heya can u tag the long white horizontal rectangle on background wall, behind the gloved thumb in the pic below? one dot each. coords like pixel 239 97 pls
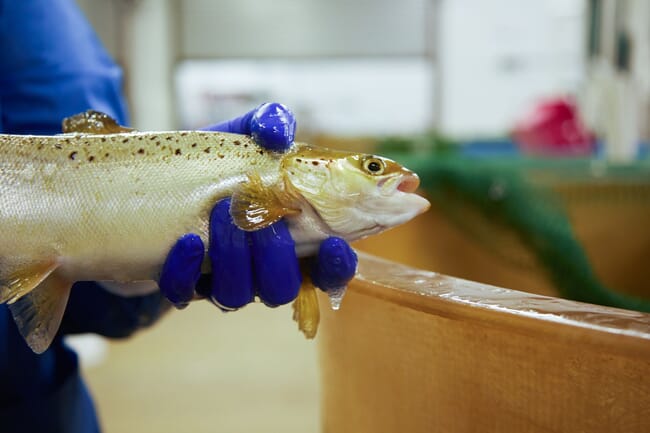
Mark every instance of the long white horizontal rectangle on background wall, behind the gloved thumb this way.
pixel 353 97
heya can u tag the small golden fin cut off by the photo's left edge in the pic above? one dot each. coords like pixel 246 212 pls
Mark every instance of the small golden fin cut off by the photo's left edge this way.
pixel 14 284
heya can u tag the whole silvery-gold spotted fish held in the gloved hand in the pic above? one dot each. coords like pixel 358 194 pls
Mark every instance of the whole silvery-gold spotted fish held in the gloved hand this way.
pixel 102 202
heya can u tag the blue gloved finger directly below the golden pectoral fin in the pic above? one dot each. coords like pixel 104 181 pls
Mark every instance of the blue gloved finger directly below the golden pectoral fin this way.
pixel 275 264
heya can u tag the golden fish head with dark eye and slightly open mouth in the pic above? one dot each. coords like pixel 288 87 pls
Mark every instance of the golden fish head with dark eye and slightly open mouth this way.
pixel 355 195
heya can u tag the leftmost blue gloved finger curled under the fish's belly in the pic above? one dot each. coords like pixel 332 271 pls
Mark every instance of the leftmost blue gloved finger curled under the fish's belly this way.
pixel 182 270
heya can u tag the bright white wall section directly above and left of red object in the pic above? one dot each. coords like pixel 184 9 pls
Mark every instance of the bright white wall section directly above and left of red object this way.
pixel 499 56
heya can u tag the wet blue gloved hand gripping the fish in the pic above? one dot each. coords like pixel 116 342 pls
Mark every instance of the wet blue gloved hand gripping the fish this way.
pixel 245 264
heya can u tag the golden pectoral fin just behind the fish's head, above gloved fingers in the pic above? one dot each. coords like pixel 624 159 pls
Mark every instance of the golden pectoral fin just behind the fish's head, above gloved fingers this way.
pixel 255 206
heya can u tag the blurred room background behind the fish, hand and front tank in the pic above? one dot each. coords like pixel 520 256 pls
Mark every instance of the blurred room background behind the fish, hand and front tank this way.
pixel 526 119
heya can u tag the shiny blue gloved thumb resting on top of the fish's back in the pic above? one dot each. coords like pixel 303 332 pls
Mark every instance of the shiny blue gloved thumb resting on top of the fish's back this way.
pixel 272 126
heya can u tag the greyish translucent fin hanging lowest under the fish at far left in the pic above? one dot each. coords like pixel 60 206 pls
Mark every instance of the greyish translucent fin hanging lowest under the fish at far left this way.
pixel 38 314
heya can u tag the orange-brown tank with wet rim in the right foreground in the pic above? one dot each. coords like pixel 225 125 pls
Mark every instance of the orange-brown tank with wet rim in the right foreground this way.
pixel 417 351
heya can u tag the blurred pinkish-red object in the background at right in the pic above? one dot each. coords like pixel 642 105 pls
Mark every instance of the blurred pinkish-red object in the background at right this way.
pixel 553 128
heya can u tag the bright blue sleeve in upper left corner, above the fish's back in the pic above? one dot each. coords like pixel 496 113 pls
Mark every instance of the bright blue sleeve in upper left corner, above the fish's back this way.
pixel 52 66
